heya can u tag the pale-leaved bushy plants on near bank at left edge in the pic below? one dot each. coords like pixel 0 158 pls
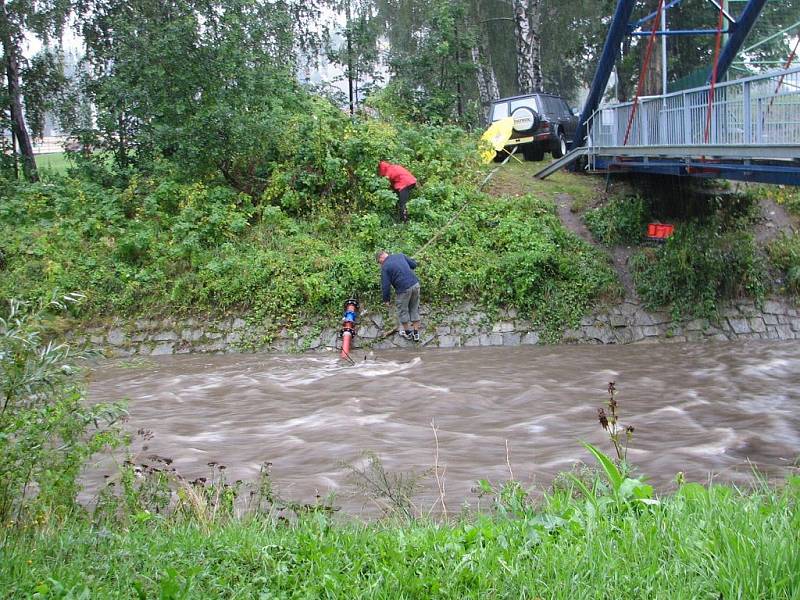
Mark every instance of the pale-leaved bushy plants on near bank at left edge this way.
pixel 46 430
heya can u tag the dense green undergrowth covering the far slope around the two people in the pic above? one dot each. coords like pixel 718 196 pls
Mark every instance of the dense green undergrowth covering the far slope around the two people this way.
pixel 167 243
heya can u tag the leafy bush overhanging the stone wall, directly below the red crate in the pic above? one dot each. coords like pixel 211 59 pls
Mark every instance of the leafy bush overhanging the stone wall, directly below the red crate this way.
pixel 697 267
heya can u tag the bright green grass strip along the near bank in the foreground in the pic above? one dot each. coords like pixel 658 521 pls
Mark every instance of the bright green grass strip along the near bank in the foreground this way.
pixel 699 543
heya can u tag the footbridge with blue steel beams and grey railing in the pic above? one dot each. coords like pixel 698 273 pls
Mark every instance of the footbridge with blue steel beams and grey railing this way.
pixel 746 129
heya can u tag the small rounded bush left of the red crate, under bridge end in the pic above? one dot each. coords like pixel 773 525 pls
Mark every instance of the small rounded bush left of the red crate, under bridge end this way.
pixel 620 221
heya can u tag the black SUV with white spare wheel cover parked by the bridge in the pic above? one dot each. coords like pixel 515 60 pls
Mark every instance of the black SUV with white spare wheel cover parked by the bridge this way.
pixel 542 123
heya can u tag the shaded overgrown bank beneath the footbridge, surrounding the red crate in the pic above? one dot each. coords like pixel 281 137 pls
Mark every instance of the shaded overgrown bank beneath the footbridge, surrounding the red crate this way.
pixel 725 246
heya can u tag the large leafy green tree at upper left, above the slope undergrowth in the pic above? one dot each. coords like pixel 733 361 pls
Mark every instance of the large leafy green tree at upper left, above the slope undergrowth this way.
pixel 202 82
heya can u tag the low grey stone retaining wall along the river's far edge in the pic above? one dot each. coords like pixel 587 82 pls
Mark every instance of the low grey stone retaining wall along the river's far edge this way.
pixel 622 324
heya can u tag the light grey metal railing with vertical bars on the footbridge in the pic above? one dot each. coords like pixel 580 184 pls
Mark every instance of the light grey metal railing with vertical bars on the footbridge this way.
pixel 760 110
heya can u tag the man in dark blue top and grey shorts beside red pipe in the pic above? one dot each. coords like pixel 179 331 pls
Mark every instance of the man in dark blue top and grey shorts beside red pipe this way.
pixel 397 271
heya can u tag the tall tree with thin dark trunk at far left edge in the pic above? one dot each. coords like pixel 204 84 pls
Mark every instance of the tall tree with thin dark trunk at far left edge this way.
pixel 44 19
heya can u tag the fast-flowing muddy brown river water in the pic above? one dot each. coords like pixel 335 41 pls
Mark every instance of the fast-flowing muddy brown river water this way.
pixel 708 410
